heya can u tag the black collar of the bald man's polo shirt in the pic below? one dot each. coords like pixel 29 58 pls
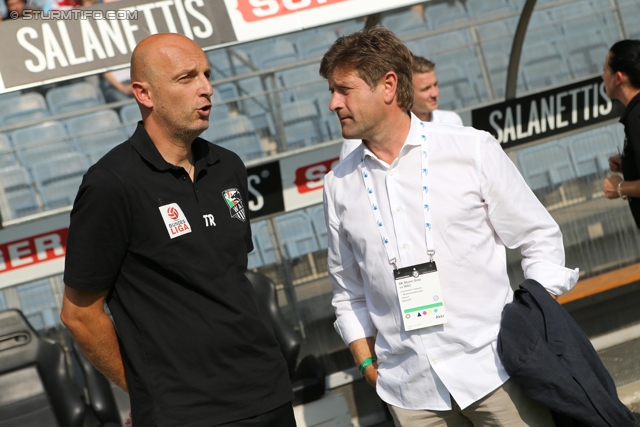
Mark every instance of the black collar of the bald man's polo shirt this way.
pixel 203 153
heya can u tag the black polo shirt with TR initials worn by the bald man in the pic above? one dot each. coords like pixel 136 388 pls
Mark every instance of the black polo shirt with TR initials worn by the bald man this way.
pixel 197 347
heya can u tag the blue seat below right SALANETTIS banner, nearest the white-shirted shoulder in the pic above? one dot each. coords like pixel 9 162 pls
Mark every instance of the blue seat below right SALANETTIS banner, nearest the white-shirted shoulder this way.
pixel 546 165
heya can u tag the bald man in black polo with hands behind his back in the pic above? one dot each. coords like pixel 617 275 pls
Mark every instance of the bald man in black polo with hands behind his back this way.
pixel 160 232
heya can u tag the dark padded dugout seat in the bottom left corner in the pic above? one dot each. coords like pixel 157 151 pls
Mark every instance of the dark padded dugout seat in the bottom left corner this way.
pixel 34 381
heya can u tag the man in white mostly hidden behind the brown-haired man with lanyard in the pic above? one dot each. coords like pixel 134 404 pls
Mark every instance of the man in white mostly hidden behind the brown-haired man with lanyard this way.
pixel 426 94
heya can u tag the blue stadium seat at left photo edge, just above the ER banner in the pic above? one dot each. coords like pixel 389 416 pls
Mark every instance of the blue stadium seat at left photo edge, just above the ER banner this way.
pixel 20 194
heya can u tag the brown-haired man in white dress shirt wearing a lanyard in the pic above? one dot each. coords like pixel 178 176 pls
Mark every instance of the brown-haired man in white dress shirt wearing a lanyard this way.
pixel 415 195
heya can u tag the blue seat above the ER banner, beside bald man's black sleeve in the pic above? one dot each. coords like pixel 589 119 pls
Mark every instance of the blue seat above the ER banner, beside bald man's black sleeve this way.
pixel 59 178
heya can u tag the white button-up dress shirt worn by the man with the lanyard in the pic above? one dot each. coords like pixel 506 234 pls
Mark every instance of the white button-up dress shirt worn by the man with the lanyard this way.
pixel 479 203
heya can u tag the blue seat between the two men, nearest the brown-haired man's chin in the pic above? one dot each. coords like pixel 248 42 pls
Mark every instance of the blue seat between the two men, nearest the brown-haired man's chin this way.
pixel 301 122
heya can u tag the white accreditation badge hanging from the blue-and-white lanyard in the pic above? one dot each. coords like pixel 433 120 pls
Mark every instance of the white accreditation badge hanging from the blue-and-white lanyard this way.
pixel 420 296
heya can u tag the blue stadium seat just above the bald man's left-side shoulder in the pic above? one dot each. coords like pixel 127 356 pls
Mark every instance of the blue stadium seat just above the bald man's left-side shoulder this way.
pixel 96 133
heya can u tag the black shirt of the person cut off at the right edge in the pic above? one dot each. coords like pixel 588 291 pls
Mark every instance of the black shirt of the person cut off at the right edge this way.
pixel 631 154
